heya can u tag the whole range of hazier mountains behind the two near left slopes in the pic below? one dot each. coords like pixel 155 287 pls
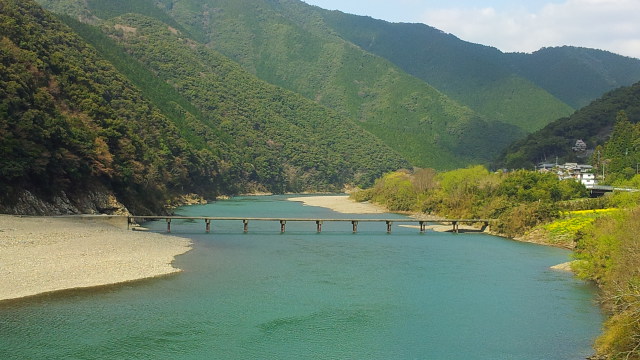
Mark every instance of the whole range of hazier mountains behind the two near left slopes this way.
pixel 439 101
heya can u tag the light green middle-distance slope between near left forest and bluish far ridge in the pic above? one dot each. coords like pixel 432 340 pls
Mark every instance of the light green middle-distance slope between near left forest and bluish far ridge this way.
pixel 421 123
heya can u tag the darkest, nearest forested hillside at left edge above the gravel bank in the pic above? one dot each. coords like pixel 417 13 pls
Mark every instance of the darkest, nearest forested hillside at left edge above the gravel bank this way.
pixel 69 122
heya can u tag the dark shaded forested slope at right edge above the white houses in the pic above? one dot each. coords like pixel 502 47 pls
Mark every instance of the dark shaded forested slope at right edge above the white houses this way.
pixel 593 124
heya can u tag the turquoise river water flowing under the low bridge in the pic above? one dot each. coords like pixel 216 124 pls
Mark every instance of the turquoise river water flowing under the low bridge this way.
pixel 334 295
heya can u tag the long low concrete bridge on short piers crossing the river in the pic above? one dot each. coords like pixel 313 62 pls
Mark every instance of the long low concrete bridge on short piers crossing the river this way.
pixel 455 223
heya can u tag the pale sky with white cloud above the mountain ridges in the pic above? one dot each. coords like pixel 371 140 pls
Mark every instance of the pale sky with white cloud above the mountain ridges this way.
pixel 515 25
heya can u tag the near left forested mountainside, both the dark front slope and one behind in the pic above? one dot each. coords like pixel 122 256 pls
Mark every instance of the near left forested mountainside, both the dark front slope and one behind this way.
pixel 70 122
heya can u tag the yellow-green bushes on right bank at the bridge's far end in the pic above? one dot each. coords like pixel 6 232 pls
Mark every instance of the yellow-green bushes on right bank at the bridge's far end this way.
pixel 519 200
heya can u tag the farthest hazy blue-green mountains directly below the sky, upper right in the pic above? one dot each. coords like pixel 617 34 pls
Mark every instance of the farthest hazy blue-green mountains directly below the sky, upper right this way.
pixel 473 74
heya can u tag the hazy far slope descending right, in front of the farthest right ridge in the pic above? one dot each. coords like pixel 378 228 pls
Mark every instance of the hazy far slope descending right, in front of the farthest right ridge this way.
pixel 474 75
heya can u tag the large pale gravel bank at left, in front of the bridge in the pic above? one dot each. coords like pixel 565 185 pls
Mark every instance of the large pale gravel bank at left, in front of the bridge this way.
pixel 45 254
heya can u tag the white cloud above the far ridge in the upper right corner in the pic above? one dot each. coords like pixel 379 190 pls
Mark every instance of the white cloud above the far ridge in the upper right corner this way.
pixel 602 24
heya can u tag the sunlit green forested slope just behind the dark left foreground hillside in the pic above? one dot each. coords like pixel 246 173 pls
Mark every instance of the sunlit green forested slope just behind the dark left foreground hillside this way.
pixel 281 134
